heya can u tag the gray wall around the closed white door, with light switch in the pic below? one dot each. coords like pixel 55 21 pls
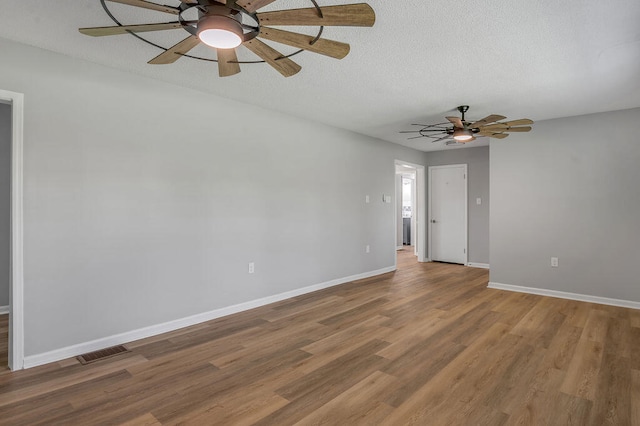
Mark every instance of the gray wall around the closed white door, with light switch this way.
pixel 477 160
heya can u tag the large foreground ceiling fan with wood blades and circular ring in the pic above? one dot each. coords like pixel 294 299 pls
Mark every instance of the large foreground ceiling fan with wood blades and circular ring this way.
pixel 227 24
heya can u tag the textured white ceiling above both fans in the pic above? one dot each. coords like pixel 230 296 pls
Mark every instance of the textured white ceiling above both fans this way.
pixel 538 59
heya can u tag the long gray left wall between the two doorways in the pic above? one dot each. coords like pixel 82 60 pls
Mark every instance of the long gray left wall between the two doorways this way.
pixel 144 201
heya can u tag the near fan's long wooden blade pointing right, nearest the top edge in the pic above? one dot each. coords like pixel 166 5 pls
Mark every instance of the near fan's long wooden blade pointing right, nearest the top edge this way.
pixel 356 15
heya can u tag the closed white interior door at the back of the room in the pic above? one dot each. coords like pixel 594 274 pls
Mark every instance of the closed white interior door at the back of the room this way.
pixel 448 213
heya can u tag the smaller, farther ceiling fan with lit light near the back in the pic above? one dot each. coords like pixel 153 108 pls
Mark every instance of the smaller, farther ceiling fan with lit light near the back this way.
pixel 458 130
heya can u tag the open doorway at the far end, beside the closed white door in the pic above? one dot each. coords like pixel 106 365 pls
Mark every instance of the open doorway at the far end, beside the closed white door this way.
pixel 410 212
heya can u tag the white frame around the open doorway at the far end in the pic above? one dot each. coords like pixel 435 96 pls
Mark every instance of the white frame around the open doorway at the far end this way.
pixel 421 222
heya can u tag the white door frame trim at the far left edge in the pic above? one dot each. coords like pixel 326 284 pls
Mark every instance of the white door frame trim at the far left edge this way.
pixel 16 285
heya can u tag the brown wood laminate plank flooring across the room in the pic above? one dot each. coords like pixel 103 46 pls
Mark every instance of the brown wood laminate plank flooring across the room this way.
pixel 428 345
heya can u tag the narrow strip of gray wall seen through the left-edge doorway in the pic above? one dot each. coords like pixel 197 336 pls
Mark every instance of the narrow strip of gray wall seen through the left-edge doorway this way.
pixel 5 202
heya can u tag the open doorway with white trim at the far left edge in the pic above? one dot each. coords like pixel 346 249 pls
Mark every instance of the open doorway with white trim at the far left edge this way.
pixel 11 117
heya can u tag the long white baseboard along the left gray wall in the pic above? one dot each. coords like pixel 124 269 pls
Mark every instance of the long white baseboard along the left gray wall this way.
pixel 141 333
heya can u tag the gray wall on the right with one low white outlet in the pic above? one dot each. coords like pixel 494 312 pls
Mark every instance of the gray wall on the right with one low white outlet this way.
pixel 571 189
